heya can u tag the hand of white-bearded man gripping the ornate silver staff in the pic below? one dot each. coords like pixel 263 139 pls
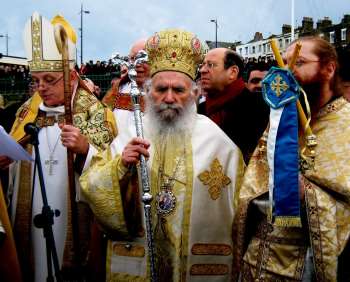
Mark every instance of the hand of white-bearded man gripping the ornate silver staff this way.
pixel 133 150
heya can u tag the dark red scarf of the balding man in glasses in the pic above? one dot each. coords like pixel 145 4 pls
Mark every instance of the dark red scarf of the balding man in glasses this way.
pixel 215 105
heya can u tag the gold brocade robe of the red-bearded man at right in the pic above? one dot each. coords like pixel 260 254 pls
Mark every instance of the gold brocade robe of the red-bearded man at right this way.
pixel 278 254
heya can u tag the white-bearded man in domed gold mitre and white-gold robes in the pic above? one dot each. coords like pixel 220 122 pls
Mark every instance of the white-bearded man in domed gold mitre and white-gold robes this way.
pixel 194 171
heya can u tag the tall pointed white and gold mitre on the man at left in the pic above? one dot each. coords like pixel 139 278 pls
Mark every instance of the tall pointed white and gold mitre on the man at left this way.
pixel 40 44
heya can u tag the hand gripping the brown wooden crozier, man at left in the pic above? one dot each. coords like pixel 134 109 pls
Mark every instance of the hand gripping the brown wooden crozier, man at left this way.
pixel 73 139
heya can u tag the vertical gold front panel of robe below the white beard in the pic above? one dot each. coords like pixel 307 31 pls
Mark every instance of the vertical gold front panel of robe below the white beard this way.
pixel 175 159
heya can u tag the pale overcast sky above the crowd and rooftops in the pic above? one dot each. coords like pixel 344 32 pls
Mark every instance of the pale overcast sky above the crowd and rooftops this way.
pixel 113 25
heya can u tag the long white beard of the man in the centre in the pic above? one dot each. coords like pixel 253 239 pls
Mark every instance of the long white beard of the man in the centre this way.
pixel 169 123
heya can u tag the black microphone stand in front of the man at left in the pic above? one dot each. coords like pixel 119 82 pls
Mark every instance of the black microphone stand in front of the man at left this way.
pixel 45 218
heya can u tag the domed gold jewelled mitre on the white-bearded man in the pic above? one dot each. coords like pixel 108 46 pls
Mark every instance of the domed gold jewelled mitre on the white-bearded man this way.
pixel 174 50
